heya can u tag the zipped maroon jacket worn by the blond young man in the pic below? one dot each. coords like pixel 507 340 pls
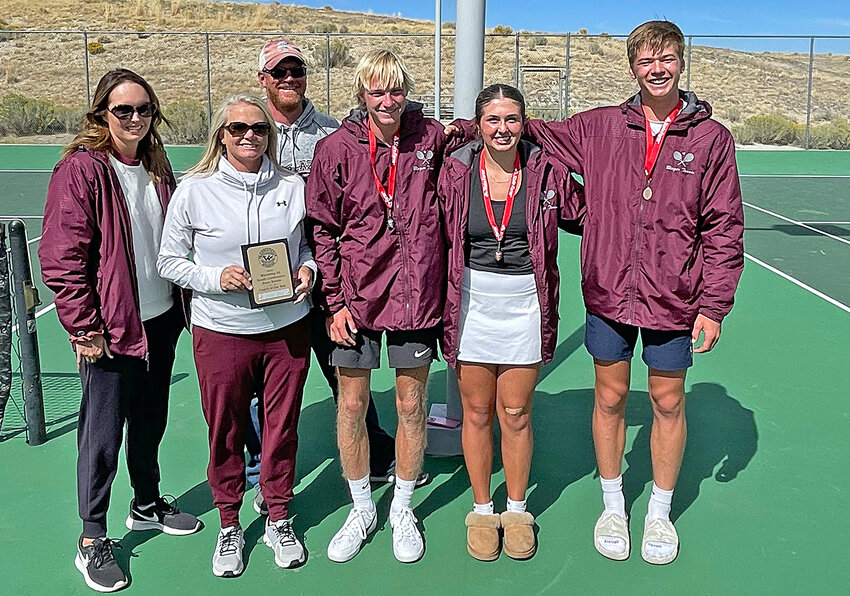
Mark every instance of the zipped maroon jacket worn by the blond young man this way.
pixel 389 280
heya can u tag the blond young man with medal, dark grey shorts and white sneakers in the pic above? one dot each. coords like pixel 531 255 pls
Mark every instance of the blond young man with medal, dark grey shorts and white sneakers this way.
pixel 374 213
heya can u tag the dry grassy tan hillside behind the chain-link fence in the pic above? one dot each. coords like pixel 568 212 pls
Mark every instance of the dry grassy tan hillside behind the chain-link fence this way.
pixel 52 66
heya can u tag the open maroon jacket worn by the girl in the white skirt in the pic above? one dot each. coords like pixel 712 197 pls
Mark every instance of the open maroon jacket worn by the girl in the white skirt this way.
pixel 553 198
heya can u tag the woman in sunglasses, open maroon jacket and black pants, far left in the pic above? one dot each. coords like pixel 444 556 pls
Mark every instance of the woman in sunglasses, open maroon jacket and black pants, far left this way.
pixel 103 220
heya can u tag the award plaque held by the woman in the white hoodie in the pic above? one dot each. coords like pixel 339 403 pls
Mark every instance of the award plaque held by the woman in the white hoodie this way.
pixel 268 264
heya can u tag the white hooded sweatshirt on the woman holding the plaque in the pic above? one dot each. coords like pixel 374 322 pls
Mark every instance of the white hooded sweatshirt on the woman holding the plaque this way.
pixel 209 218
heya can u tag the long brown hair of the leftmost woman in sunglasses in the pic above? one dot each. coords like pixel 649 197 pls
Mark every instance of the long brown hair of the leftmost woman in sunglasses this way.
pixel 95 132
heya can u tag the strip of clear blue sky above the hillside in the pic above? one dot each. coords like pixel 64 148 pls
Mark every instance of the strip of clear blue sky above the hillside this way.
pixel 721 17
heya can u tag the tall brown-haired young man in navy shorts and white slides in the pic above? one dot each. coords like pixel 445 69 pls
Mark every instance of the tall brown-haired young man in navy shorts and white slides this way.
pixel 662 254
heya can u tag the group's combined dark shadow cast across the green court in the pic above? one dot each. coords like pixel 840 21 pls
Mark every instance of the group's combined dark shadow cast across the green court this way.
pixel 722 440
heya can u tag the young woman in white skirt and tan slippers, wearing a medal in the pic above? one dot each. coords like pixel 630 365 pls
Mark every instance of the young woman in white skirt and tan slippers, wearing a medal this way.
pixel 502 202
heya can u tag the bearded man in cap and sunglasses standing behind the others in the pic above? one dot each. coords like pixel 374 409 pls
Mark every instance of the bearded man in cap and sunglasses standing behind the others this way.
pixel 282 73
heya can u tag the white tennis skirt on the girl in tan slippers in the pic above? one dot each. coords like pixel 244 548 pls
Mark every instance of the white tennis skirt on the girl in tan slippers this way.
pixel 499 319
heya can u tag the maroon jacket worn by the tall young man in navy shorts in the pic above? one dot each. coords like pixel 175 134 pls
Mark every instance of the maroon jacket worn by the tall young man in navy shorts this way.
pixel 654 263
